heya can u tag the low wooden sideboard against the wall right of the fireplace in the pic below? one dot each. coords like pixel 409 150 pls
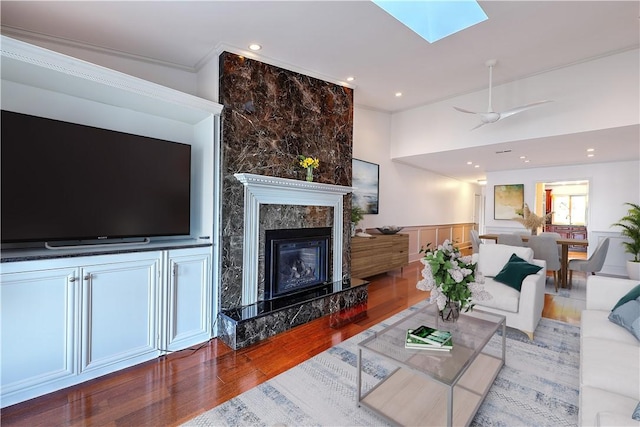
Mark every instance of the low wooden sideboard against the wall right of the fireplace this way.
pixel 378 254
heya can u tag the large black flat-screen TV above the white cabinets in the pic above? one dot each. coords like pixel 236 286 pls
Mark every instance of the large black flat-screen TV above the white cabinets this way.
pixel 64 181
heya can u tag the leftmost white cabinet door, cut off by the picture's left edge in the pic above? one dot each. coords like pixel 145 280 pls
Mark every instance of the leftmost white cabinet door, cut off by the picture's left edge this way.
pixel 37 315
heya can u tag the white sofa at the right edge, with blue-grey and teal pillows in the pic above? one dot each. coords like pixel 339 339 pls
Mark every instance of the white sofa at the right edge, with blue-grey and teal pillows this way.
pixel 609 358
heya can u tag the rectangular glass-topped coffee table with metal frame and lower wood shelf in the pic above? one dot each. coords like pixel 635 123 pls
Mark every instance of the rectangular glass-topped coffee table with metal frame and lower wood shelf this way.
pixel 434 388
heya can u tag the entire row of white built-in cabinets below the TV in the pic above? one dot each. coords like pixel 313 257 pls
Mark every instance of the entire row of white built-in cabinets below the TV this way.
pixel 68 320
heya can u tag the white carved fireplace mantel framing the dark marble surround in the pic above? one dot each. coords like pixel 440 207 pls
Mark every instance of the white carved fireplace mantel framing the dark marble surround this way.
pixel 261 189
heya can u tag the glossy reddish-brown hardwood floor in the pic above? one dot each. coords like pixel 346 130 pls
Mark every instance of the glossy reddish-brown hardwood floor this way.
pixel 173 389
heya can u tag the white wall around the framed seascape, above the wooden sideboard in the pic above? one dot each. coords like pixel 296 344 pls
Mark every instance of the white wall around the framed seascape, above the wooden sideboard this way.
pixel 408 196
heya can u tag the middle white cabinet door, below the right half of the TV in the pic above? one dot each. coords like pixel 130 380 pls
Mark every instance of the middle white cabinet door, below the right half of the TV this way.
pixel 119 314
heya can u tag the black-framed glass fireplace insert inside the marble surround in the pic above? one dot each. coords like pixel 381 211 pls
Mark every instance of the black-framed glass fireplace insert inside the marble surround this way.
pixel 295 260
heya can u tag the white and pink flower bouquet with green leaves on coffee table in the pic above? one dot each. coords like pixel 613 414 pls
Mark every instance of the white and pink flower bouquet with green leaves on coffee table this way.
pixel 451 277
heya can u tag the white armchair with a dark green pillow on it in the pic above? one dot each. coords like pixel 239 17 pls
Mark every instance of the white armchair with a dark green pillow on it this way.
pixel 522 309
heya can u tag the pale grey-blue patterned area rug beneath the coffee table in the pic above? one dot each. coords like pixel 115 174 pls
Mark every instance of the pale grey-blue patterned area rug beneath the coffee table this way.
pixel 538 386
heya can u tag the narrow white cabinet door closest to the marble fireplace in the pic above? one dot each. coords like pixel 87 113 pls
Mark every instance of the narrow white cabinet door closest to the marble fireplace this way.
pixel 188 298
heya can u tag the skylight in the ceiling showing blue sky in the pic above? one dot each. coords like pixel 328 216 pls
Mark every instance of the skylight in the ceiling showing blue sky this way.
pixel 434 19
